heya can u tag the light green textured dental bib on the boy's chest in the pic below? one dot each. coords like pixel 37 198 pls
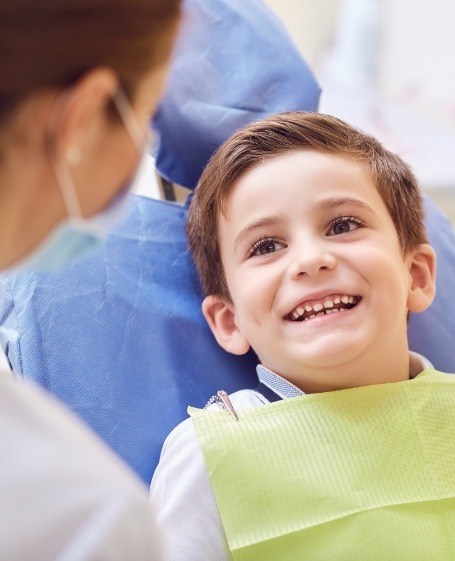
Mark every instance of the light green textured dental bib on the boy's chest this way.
pixel 360 474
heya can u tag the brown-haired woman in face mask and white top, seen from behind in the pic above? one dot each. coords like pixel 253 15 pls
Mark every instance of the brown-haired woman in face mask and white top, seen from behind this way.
pixel 80 79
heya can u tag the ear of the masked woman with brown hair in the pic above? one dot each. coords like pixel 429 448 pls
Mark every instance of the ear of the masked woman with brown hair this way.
pixel 80 112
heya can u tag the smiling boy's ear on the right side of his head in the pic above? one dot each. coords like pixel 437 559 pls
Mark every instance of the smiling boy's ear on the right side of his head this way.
pixel 423 275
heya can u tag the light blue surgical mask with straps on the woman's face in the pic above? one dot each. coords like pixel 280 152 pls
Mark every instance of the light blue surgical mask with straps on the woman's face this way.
pixel 77 237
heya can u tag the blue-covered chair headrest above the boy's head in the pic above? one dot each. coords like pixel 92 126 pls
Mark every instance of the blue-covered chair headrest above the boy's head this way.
pixel 250 69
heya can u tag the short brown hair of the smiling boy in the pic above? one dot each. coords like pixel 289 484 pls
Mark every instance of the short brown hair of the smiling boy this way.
pixel 275 135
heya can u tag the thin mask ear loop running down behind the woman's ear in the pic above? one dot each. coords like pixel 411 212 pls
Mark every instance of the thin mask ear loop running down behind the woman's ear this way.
pixel 61 169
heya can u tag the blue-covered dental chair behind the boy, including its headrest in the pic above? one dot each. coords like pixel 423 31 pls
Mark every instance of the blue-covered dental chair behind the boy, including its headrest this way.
pixel 119 337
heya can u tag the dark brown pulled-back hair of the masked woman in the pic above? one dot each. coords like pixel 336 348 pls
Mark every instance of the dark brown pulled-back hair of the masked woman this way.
pixel 52 43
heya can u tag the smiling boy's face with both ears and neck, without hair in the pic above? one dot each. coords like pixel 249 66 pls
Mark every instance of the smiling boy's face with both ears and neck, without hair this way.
pixel 304 234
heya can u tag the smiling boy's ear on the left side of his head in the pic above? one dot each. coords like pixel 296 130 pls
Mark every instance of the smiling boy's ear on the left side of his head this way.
pixel 220 316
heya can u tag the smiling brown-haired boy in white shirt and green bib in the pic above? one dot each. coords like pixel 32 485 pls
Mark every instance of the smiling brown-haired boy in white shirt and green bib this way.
pixel 309 240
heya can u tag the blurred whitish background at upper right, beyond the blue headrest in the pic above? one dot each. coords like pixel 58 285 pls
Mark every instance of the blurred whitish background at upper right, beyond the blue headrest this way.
pixel 387 66
